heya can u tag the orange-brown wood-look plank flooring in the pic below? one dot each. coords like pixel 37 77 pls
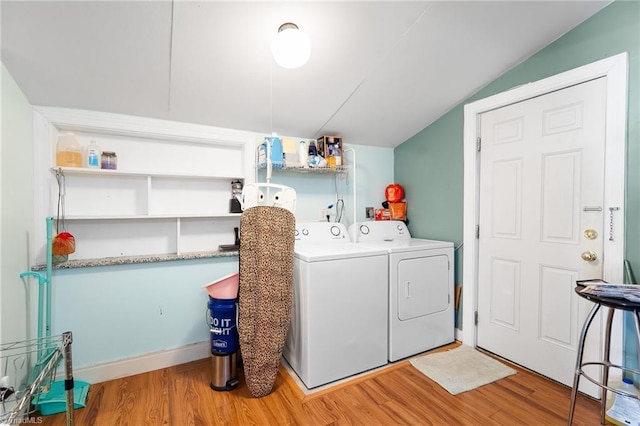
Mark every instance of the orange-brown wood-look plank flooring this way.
pixel 395 395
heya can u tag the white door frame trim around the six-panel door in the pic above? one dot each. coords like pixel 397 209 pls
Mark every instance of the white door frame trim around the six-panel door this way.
pixel 614 69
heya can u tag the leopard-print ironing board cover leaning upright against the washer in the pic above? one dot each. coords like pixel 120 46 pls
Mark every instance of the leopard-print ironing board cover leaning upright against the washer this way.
pixel 265 298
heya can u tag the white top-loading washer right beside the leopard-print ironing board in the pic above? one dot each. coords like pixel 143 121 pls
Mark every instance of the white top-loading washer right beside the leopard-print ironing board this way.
pixel 339 324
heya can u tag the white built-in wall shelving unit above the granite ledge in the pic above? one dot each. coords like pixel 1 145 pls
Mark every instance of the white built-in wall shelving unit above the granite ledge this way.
pixel 169 195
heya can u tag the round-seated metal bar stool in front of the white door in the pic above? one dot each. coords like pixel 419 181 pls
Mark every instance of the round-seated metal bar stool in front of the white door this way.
pixel 612 304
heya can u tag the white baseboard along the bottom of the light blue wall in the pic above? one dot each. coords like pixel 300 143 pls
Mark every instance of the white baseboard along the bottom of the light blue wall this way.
pixel 141 364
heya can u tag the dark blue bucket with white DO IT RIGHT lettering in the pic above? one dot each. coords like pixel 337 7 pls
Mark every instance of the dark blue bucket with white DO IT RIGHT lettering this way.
pixel 222 323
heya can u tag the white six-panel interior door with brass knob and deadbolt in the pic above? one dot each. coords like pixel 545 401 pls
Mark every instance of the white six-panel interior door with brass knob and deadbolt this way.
pixel 541 203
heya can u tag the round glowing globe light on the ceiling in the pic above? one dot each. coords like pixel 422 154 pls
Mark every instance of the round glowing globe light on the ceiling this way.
pixel 291 48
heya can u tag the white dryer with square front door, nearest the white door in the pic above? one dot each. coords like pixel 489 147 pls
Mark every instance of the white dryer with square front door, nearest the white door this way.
pixel 421 289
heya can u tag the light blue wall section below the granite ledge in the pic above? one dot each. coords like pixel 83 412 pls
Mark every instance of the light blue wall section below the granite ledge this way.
pixel 119 312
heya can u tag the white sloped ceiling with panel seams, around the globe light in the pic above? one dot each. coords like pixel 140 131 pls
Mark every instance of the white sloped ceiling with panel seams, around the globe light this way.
pixel 379 71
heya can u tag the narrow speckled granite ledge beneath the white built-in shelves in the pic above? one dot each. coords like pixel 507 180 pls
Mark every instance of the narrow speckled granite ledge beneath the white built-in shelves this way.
pixel 128 260
